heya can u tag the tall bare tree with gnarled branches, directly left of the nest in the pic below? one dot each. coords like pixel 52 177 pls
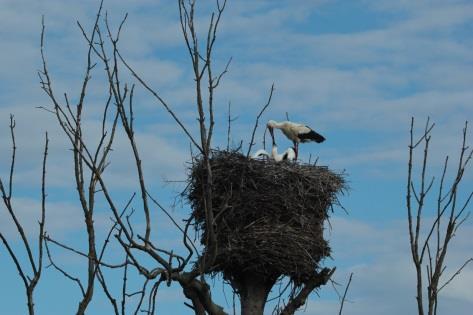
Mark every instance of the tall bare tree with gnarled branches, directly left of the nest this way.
pixel 91 162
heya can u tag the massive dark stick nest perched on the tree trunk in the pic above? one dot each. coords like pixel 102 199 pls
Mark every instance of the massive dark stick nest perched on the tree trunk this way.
pixel 268 216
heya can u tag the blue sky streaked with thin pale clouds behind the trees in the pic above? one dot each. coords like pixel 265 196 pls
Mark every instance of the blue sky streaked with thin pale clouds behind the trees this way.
pixel 356 71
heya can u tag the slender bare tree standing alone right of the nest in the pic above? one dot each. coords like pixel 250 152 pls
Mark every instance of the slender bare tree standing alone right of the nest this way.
pixel 430 242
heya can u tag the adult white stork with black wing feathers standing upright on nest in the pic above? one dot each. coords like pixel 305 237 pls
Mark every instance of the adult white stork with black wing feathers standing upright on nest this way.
pixel 295 132
